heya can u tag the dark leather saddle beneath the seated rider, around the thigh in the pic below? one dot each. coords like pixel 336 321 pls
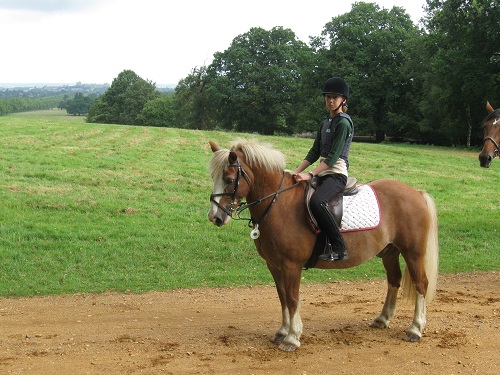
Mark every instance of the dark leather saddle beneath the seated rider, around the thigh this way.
pixel 335 204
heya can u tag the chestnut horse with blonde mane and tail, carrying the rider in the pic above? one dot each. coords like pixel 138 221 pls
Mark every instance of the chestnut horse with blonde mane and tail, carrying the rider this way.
pixel 283 237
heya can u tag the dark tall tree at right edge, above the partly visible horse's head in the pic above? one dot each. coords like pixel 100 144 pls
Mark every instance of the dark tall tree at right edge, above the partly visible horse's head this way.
pixel 462 48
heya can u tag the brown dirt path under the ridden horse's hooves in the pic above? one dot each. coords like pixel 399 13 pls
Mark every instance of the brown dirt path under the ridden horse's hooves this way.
pixel 228 331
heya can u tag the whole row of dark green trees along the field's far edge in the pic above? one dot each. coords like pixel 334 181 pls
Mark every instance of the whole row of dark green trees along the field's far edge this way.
pixel 427 82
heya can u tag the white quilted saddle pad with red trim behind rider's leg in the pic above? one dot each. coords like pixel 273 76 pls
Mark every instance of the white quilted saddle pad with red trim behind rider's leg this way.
pixel 361 211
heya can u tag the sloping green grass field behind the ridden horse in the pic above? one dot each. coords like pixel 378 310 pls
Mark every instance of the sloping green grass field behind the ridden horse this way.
pixel 92 207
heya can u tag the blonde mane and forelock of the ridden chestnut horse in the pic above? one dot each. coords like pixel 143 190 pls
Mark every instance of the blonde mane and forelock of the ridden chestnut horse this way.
pixel 256 154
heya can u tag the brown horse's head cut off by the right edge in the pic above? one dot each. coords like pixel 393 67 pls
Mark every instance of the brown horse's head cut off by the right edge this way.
pixel 491 141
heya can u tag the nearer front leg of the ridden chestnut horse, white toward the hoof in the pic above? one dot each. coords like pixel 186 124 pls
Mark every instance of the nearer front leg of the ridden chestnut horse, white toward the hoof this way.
pixel 291 273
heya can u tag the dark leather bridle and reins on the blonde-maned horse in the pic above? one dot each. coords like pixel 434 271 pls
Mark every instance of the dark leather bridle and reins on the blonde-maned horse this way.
pixel 238 207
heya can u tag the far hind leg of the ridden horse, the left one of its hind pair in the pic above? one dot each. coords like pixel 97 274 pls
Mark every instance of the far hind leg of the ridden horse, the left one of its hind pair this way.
pixel 393 271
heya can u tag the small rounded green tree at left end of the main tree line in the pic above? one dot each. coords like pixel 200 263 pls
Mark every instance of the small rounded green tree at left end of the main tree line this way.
pixel 123 102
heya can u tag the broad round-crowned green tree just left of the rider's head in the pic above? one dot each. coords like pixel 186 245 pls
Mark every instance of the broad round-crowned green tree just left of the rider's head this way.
pixel 254 85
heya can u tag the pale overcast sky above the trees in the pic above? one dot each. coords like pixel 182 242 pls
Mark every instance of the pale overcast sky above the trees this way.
pixel 92 41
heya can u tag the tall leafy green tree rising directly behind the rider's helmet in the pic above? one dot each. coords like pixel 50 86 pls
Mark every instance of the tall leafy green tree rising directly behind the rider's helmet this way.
pixel 367 48
